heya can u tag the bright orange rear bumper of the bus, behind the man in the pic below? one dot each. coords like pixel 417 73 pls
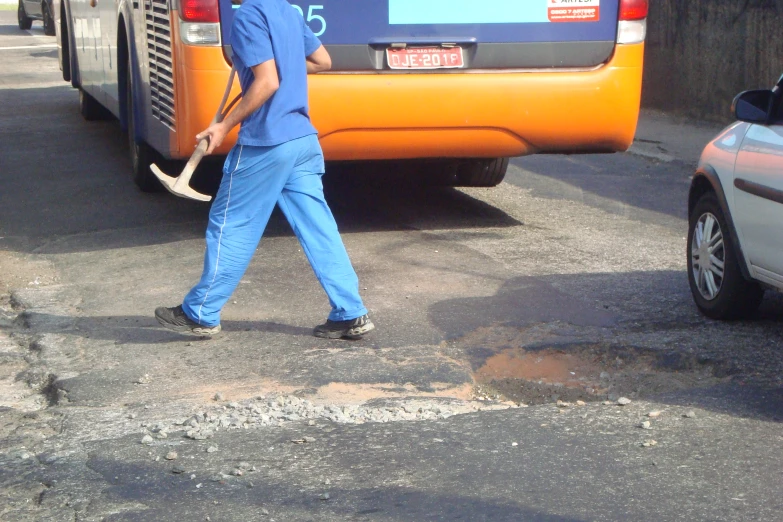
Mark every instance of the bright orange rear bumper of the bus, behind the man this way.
pixel 476 114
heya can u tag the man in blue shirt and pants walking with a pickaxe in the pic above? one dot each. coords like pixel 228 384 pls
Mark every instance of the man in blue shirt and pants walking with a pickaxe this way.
pixel 277 160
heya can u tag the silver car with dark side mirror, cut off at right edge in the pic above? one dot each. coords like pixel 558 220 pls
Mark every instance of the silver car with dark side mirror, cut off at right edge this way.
pixel 735 228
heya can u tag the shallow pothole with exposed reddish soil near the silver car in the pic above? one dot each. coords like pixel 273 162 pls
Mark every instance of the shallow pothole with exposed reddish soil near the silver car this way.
pixel 591 373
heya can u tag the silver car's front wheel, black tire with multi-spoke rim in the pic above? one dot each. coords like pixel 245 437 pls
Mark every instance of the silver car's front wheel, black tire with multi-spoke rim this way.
pixel 718 287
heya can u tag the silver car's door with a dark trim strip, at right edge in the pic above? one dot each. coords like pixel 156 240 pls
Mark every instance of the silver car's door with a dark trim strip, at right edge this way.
pixel 758 198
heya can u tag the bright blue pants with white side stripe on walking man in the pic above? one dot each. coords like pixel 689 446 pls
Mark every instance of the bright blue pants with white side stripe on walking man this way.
pixel 254 180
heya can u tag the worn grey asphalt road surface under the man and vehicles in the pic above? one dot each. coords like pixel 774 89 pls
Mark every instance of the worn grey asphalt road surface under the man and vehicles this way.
pixel 567 282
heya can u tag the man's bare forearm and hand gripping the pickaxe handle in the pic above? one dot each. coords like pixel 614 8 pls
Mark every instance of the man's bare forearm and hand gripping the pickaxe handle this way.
pixel 265 84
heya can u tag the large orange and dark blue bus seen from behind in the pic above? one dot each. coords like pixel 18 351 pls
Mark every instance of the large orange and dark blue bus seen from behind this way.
pixel 462 85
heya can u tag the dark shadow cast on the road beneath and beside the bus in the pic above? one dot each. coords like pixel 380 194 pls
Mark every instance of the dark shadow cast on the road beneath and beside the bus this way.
pixel 75 192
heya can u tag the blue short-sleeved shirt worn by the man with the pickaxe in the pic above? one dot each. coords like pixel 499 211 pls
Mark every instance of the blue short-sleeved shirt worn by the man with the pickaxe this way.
pixel 272 29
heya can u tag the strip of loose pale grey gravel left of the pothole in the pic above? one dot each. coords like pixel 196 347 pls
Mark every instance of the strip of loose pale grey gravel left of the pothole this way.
pixel 279 410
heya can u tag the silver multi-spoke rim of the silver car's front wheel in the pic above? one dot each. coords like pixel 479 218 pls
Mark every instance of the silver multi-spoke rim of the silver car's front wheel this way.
pixel 708 256
